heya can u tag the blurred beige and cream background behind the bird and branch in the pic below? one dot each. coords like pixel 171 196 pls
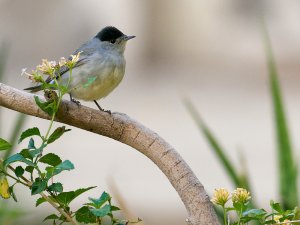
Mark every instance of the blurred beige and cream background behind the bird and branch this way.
pixel 208 51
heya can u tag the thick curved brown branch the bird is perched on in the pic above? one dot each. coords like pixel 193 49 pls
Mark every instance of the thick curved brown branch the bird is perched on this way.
pixel 120 127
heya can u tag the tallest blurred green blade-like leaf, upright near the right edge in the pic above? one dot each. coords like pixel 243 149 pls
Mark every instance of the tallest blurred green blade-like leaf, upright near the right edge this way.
pixel 288 178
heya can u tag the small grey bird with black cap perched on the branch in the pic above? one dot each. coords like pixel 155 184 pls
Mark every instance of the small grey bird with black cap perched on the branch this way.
pixel 101 61
